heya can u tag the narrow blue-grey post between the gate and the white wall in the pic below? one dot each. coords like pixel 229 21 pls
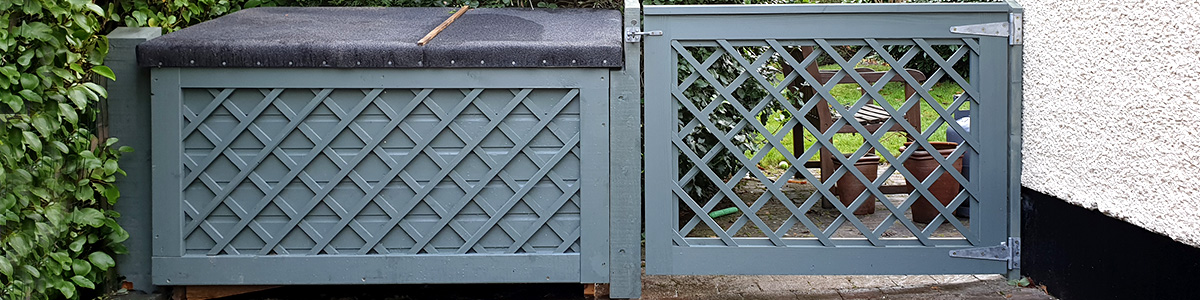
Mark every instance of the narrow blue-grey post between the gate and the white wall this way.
pixel 1016 87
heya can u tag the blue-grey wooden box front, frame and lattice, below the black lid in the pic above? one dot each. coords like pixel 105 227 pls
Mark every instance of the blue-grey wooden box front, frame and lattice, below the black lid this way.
pixel 356 149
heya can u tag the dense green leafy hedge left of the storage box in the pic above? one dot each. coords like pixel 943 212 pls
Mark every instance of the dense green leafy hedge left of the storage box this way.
pixel 57 235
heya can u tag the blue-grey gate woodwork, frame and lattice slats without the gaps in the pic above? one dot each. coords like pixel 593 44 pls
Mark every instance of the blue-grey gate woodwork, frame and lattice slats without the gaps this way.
pixel 823 27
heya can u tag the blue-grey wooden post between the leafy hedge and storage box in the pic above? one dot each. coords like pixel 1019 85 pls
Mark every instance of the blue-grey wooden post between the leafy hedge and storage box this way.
pixel 129 115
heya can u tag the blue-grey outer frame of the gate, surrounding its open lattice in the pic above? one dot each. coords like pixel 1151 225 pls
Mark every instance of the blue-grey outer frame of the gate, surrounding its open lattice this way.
pixel 1010 86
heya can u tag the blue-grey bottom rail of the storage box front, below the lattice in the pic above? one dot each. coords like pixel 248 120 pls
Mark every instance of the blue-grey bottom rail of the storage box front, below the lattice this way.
pixel 365 271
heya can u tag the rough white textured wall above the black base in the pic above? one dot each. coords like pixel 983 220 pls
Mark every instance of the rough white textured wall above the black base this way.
pixel 1113 110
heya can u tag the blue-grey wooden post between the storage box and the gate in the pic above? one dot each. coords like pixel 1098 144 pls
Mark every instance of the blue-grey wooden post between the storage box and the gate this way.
pixel 626 175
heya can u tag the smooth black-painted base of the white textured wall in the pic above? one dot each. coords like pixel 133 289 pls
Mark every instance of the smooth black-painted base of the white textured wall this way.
pixel 1081 254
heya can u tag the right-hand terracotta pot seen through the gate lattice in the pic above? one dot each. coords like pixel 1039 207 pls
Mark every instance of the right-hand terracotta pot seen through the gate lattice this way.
pixel 945 189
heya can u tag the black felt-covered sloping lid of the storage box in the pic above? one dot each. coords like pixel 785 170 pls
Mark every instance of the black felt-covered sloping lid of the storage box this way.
pixel 387 38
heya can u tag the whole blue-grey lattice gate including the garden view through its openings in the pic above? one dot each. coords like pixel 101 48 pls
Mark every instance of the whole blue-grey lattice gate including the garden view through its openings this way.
pixel 817 143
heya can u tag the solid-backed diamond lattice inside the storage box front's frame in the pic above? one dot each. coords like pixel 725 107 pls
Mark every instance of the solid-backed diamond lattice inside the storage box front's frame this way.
pixel 381 171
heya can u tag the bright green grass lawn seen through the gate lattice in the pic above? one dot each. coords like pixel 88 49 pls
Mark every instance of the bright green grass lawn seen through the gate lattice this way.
pixel 848 94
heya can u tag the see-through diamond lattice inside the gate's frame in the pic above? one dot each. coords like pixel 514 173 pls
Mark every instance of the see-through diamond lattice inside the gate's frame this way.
pixel 739 100
